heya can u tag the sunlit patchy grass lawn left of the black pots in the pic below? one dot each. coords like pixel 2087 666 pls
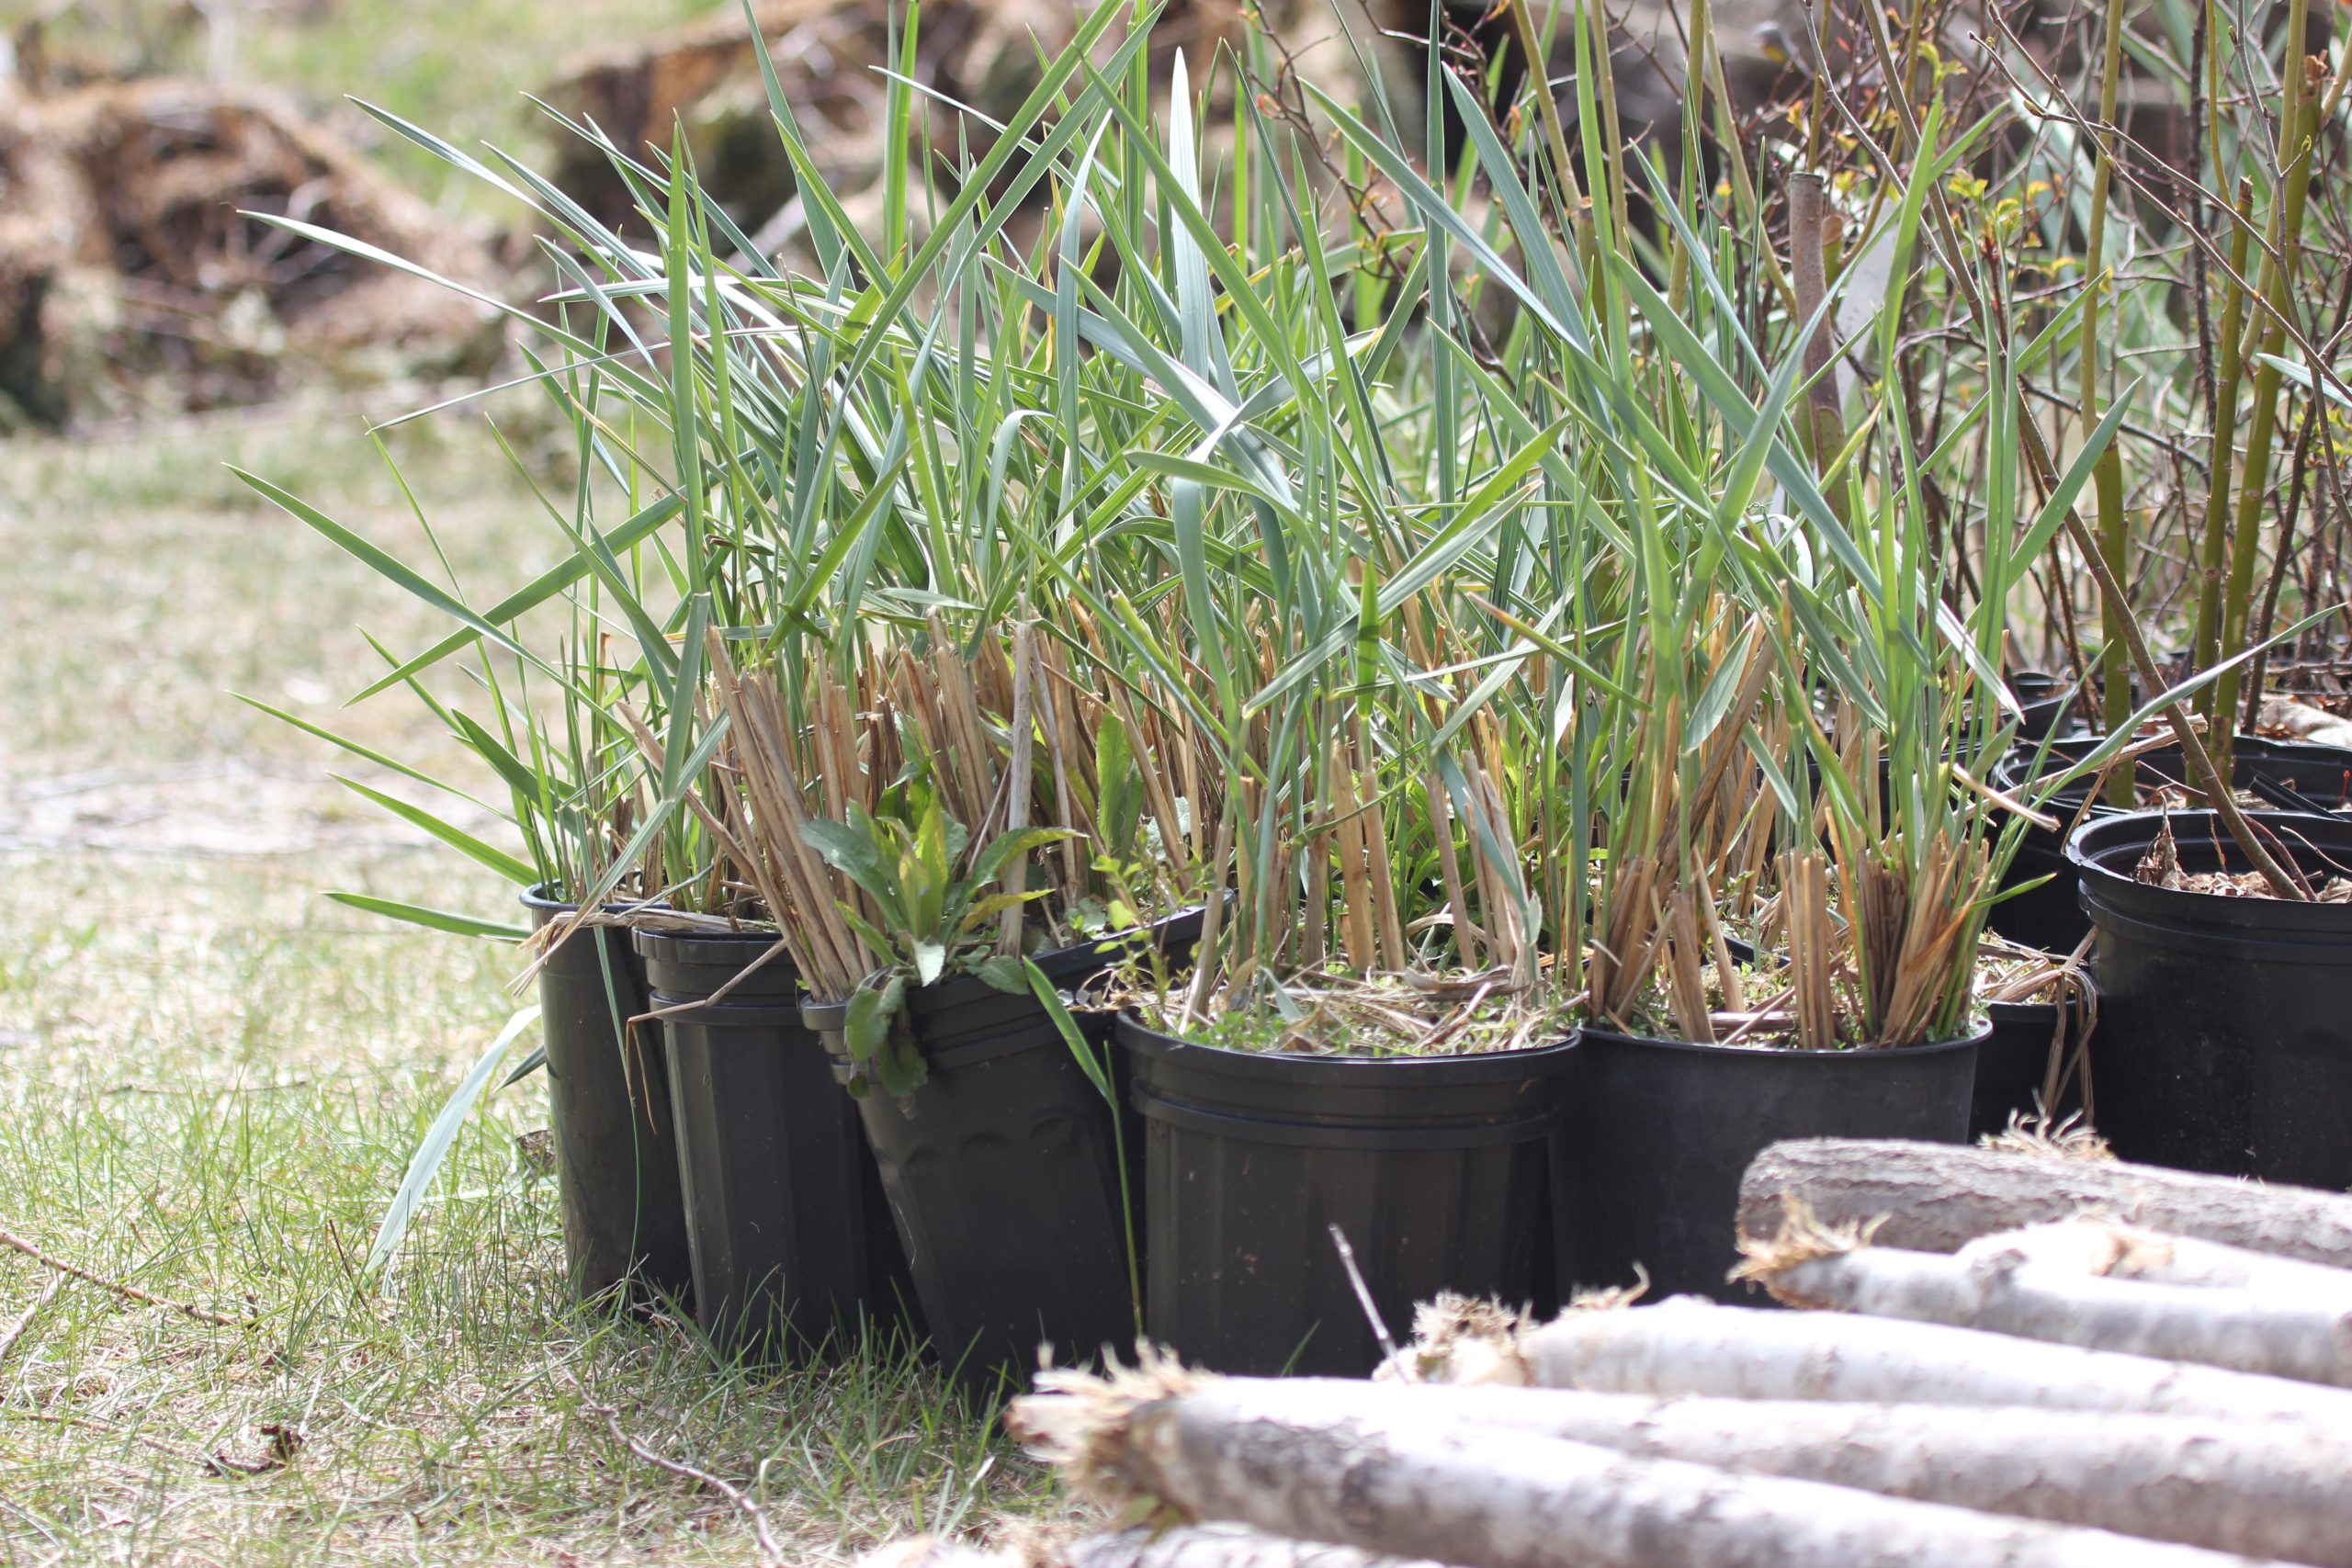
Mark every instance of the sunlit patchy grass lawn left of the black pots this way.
pixel 211 1083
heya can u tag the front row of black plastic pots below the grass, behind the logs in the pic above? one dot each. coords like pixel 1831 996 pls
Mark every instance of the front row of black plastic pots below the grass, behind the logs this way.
pixel 989 1207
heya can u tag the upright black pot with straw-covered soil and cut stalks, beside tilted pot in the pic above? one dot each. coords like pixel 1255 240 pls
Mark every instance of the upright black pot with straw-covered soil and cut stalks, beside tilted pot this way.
pixel 1354 1097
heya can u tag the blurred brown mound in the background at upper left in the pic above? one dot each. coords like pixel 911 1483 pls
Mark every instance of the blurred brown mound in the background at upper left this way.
pixel 133 279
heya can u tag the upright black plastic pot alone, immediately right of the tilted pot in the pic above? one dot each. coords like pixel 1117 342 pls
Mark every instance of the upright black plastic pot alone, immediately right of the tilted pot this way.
pixel 1434 1170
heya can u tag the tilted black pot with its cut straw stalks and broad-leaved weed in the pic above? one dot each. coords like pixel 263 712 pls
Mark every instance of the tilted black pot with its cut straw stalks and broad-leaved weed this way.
pixel 933 981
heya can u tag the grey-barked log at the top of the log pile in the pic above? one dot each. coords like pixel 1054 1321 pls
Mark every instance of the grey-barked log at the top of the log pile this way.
pixel 1937 1198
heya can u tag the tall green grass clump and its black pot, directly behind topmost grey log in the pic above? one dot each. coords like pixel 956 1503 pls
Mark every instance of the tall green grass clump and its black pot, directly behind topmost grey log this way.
pixel 1855 847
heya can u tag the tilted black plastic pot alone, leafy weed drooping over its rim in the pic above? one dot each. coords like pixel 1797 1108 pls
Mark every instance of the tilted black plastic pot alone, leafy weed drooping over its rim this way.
pixel 1003 1177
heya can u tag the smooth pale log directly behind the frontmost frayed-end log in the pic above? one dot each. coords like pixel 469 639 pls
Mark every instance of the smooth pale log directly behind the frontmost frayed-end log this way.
pixel 2231 1487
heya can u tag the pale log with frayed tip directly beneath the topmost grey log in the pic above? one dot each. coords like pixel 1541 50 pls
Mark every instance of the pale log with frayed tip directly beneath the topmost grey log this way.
pixel 2010 1294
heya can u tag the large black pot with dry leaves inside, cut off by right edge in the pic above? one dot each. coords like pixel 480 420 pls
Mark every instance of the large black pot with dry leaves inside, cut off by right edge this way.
pixel 2226 1038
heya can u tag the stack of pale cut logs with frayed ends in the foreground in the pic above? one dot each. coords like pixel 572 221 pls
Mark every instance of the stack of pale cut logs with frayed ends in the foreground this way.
pixel 2012 1355
